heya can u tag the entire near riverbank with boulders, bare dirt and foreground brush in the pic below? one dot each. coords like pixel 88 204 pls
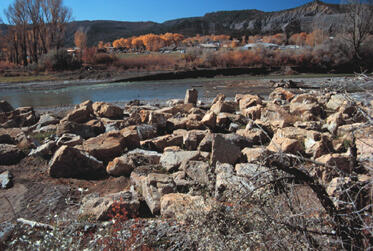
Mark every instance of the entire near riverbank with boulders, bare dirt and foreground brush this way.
pixel 249 173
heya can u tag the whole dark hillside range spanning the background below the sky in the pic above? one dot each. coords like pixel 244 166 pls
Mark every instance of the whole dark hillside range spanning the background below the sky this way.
pixel 235 23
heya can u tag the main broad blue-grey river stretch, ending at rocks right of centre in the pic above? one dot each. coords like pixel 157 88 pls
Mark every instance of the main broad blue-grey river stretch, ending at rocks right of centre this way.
pixel 127 91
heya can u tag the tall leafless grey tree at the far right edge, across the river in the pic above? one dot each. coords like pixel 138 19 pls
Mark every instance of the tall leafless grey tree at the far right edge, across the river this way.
pixel 358 23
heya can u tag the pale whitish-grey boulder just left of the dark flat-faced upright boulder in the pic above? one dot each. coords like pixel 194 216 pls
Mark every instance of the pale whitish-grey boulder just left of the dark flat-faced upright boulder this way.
pixel 172 160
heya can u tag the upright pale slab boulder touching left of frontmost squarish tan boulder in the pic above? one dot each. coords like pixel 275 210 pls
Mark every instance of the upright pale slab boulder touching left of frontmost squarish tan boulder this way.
pixel 155 186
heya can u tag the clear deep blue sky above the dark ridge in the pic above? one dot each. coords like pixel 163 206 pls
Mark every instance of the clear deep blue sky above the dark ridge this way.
pixel 162 10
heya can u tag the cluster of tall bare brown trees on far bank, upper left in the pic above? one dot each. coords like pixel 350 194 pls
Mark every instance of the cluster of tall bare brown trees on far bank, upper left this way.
pixel 36 27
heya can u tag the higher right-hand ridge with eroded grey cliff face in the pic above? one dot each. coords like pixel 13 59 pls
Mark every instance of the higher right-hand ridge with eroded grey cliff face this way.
pixel 248 22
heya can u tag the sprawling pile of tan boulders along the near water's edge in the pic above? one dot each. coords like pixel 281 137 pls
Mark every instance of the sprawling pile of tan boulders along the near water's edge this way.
pixel 167 151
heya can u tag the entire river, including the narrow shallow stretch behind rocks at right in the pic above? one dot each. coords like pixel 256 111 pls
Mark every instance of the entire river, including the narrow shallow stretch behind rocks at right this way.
pixel 56 95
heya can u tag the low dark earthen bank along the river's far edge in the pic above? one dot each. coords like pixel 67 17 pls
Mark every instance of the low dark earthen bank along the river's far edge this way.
pixel 91 77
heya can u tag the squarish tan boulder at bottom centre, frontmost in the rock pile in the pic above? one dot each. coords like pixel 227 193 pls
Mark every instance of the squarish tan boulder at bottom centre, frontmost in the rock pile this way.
pixel 180 206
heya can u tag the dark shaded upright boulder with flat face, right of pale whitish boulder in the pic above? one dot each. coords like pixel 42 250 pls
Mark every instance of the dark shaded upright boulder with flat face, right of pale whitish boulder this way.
pixel 224 150
